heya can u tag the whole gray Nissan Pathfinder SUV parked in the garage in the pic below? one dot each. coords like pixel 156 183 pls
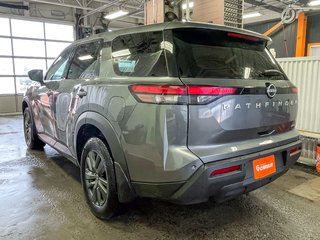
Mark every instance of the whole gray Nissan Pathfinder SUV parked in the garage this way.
pixel 181 112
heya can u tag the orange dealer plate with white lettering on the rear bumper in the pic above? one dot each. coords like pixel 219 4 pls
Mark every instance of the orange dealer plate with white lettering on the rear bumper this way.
pixel 264 167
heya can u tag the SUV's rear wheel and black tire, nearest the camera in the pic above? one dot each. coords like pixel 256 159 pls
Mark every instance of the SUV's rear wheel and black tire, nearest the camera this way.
pixel 98 179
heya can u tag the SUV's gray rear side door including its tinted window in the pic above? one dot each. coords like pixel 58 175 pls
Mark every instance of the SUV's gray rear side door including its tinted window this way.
pixel 71 93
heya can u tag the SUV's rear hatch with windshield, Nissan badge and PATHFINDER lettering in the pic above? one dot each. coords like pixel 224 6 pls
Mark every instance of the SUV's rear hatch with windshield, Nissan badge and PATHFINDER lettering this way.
pixel 240 100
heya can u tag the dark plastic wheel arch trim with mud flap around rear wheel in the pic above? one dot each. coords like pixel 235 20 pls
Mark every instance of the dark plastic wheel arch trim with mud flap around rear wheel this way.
pixel 92 124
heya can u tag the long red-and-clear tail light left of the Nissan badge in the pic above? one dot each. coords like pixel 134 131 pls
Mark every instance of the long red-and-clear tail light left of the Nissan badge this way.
pixel 163 94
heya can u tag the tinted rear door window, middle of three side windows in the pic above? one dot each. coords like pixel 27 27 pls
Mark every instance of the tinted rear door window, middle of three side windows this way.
pixel 85 61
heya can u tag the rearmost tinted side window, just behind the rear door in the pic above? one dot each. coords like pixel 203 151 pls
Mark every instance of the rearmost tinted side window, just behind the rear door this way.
pixel 139 55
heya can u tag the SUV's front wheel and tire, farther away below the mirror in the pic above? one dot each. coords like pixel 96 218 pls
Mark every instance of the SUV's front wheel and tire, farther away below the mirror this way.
pixel 30 132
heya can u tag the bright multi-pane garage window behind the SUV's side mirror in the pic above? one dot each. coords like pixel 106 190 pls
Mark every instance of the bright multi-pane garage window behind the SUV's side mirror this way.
pixel 18 53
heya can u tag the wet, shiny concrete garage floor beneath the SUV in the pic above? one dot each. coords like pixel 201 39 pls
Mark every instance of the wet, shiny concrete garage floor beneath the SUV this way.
pixel 41 198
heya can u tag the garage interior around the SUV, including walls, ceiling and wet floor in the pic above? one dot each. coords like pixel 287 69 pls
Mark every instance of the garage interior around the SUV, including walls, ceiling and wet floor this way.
pixel 41 194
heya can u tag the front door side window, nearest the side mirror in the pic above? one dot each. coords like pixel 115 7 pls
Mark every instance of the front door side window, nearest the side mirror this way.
pixel 57 69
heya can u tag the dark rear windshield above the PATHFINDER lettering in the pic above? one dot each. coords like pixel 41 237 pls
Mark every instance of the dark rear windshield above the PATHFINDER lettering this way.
pixel 203 53
